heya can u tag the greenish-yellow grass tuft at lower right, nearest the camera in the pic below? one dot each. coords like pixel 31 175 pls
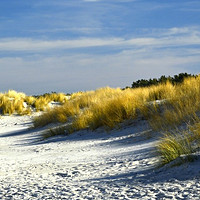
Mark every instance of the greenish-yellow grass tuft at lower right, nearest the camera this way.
pixel 178 143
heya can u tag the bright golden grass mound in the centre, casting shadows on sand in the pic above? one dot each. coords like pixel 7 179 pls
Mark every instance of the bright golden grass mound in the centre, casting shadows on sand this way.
pixel 104 107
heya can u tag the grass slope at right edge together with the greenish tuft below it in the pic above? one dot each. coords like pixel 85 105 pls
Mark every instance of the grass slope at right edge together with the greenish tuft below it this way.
pixel 181 110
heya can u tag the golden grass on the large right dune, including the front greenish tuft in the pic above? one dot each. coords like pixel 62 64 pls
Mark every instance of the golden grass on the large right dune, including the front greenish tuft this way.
pixel 107 107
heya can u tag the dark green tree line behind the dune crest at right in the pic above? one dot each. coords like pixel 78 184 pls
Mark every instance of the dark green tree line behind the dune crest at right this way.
pixel 163 79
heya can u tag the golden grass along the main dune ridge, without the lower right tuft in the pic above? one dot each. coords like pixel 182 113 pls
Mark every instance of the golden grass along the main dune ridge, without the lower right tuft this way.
pixel 109 107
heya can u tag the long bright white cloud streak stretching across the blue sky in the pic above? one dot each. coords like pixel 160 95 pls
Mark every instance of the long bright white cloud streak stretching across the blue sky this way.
pixel 170 38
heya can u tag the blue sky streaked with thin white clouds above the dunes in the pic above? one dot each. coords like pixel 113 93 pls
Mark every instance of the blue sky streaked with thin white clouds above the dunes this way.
pixel 78 45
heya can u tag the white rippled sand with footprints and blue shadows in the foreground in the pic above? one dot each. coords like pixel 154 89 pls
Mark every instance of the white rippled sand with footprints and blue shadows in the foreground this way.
pixel 86 165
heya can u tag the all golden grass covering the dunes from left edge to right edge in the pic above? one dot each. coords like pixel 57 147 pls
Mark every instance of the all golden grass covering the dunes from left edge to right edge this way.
pixel 168 104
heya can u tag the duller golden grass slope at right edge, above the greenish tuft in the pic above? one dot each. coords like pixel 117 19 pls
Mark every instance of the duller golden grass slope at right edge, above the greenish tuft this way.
pixel 181 107
